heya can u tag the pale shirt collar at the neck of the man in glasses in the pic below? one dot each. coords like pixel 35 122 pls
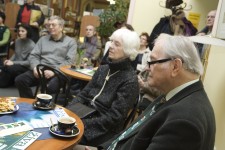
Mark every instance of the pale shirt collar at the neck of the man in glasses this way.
pixel 179 88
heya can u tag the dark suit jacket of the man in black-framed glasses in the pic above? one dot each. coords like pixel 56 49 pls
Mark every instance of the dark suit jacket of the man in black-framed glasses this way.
pixel 185 122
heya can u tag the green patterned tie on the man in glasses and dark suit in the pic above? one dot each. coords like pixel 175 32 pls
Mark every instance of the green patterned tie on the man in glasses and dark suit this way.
pixel 137 124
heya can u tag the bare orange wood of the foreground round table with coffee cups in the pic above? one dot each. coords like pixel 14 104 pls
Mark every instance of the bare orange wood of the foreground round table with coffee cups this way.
pixel 56 143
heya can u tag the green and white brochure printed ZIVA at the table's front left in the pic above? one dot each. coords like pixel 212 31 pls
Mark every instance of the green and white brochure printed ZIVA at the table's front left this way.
pixel 18 141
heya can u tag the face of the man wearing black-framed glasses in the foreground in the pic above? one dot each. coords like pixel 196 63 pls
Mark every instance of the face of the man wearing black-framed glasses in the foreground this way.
pixel 159 73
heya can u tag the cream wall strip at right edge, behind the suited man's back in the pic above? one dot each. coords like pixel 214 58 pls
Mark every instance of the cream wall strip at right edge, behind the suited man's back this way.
pixel 214 83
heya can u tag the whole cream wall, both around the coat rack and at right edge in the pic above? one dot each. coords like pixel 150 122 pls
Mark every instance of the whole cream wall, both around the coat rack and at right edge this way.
pixel 146 13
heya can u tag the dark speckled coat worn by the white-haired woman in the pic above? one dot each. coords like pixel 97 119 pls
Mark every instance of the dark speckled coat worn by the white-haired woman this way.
pixel 113 104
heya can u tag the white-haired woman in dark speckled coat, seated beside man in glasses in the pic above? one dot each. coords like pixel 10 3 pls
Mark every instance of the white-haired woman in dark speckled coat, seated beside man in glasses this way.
pixel 112 91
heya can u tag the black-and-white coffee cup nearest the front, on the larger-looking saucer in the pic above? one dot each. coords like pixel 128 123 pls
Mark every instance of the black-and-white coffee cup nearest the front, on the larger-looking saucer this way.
pixel 66 124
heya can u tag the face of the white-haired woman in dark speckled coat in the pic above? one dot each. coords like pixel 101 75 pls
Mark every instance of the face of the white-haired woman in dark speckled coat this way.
pixel 116 50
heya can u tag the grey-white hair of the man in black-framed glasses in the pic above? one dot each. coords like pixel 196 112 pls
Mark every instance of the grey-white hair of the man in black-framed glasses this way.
pixel 181 47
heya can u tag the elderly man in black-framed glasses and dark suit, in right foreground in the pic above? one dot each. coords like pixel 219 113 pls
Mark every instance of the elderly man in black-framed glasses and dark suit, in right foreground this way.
pixel 182 118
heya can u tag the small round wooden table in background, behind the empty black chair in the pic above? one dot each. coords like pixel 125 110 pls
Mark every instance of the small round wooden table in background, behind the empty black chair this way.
pixel 74 74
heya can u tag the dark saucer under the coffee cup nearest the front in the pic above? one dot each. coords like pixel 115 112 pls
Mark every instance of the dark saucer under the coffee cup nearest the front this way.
pixel 54 130
